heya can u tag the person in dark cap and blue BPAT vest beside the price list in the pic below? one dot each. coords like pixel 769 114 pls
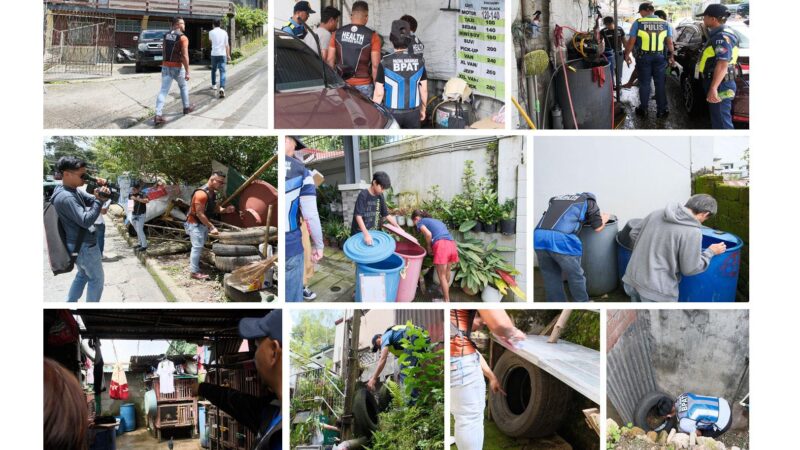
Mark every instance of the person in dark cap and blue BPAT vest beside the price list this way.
pixel 402 82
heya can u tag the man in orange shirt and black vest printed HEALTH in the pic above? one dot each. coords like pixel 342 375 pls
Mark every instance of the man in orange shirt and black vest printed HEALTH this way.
pixel 355 51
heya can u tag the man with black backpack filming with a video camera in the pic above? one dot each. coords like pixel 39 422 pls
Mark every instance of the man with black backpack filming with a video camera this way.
pixel 77 212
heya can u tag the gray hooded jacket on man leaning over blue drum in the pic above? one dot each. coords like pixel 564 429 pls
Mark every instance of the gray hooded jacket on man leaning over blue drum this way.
pixel 666 245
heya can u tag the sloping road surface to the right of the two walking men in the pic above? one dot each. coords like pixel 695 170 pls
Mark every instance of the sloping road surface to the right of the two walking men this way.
pixel 244 105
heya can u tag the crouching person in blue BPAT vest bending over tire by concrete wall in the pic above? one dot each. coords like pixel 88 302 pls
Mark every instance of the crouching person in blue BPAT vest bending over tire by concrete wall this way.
pixel 698 414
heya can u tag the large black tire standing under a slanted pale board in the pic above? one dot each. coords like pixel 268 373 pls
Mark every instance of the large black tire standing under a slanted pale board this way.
pixel 535 403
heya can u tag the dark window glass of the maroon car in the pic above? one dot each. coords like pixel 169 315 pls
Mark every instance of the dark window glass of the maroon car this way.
pixel 299 69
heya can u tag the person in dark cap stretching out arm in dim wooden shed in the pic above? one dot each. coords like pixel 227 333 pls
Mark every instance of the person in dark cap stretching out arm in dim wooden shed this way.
pixel 262 415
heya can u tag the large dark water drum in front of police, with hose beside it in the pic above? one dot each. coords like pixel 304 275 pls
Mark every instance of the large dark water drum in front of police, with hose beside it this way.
pixel 592 103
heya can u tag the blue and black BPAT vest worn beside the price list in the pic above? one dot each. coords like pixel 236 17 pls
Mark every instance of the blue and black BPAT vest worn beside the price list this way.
pixel 402 73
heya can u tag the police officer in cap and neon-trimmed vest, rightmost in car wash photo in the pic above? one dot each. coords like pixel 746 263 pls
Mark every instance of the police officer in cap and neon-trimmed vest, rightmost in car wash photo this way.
pixel 717 66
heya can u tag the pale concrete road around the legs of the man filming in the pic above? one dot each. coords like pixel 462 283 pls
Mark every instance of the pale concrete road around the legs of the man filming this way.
pixel 126 280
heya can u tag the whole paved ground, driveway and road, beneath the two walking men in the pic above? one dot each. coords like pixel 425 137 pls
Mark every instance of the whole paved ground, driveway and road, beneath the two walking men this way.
pixel 126 99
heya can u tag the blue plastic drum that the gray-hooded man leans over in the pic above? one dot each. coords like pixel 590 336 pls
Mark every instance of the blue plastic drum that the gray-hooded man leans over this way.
pixel 718 283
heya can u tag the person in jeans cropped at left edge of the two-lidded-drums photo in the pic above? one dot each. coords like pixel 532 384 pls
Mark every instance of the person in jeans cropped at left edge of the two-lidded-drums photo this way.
pixel 301 203
